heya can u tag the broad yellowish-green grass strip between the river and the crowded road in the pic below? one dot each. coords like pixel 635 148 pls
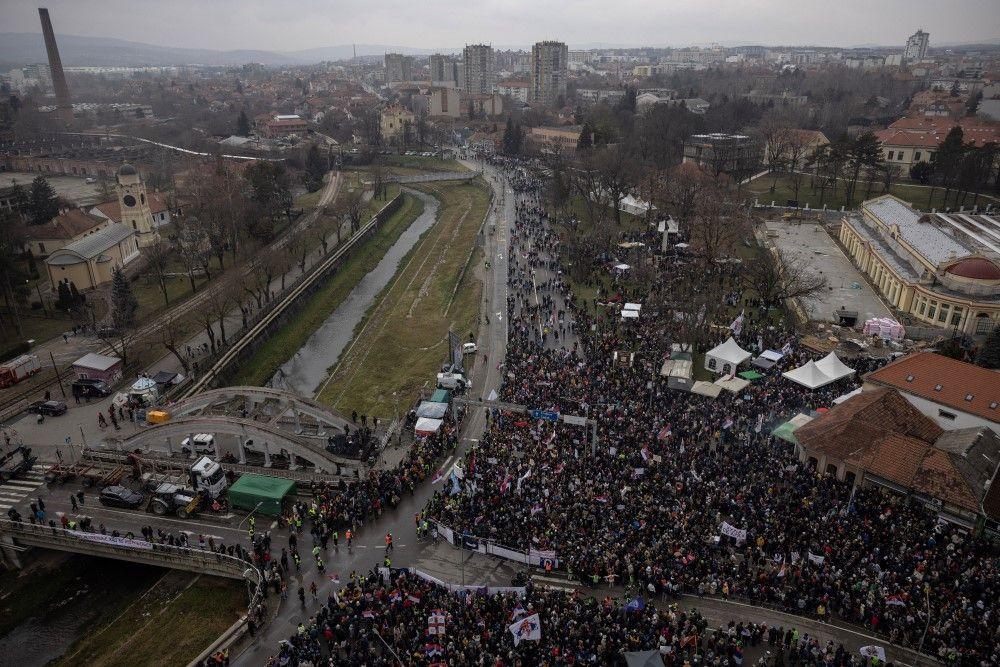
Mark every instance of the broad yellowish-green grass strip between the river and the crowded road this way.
pixel 401 343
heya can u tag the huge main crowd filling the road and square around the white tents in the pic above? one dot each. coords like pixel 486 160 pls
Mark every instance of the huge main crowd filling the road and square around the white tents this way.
pixel 646 509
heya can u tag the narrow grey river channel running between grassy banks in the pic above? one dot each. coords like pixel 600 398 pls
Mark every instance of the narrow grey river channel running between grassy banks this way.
pixel 307 369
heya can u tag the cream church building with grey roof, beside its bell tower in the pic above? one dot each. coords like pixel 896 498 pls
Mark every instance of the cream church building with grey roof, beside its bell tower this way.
pixel 90 261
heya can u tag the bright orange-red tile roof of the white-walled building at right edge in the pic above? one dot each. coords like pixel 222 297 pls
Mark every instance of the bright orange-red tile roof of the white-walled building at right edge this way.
pixel 922 373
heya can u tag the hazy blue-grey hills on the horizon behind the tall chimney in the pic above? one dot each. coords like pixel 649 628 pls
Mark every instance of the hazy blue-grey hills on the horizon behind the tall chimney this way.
pixel 76 51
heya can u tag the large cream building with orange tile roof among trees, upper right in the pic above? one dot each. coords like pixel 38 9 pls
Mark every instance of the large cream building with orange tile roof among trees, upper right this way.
pixel 916 139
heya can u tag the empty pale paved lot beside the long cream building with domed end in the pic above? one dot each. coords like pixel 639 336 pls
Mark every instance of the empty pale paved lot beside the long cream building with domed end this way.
pixel 810 243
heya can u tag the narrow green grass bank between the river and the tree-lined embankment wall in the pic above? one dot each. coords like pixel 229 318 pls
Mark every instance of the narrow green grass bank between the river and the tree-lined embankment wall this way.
pixel 279 347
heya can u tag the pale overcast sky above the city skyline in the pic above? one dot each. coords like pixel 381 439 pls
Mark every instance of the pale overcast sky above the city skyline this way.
pixel 287 25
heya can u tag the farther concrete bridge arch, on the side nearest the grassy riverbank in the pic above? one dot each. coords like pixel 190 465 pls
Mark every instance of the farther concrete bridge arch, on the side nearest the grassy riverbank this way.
pixel 284 410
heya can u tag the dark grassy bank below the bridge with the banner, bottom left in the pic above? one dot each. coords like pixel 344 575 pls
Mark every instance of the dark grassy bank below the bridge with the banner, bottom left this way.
pixel 170 625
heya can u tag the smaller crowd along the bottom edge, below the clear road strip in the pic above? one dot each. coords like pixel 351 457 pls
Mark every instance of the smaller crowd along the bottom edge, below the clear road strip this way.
pixel 396 617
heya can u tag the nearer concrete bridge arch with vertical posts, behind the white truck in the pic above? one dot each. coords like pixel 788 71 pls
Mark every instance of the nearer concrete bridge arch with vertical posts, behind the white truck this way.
pixel 271 440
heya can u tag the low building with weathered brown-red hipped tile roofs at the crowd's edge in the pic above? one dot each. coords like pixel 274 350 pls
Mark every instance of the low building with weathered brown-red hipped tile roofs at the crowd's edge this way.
pixel 878 438
